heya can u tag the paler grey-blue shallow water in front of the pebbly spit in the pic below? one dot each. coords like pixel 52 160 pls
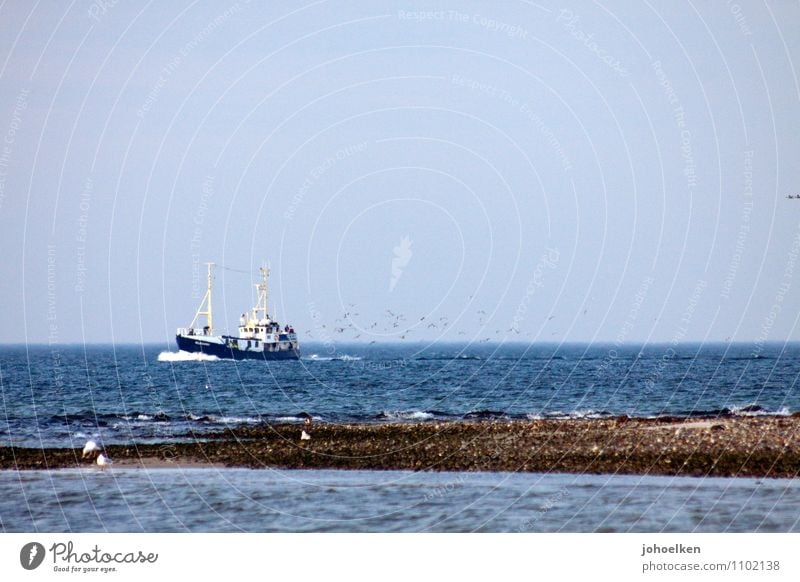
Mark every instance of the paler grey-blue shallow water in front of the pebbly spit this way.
pixel 232 500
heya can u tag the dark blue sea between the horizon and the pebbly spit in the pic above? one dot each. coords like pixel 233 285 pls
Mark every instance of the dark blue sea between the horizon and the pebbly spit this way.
pixel 59 396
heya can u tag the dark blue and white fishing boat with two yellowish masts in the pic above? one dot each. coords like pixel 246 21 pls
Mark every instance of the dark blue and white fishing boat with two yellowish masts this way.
pixel 259 337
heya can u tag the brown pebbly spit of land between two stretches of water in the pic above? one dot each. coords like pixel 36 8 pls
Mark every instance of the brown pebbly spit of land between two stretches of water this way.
pixel 765 446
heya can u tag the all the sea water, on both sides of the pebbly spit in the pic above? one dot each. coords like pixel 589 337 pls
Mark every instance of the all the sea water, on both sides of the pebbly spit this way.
pixel 60 396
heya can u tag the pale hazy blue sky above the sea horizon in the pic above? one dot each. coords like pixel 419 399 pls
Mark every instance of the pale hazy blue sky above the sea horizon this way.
pixel 608 172
